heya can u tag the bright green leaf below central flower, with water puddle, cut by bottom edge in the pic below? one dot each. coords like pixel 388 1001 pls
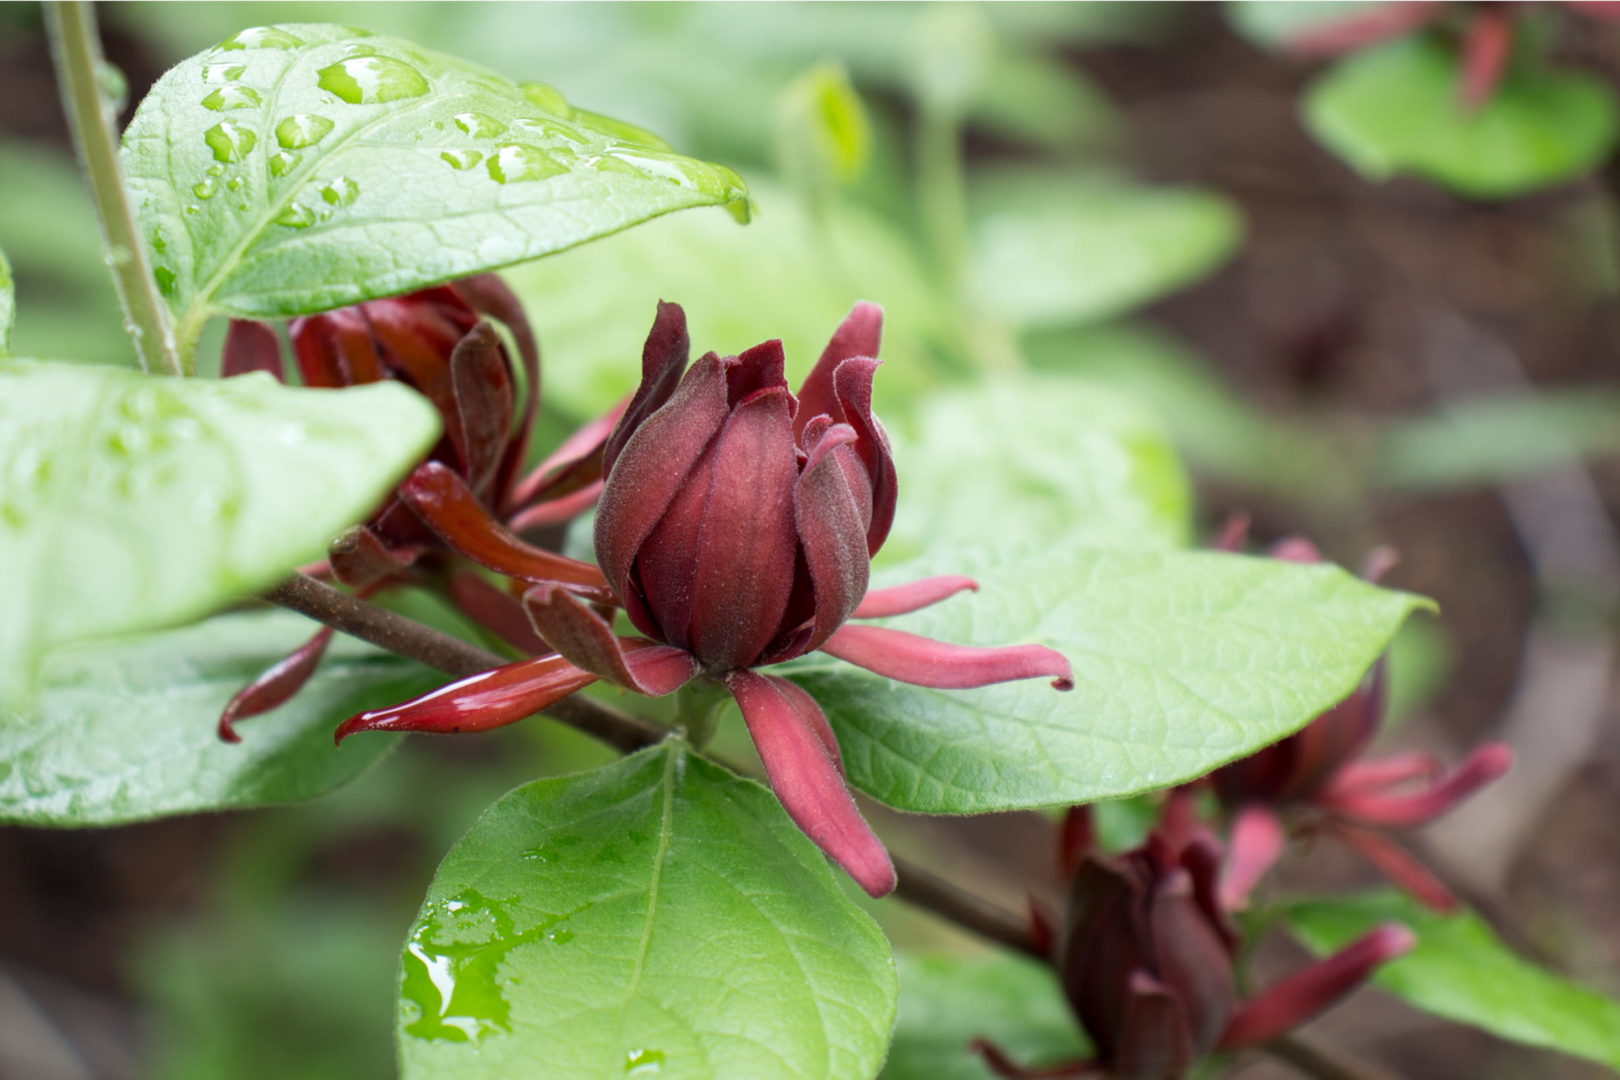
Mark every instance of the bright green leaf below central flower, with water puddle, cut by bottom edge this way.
pixel 659 916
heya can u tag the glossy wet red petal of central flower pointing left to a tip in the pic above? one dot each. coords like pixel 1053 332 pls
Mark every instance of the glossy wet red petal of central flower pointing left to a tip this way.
pixel 503 695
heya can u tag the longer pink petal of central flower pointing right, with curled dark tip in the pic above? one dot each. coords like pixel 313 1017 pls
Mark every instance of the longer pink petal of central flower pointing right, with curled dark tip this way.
pixel 927 663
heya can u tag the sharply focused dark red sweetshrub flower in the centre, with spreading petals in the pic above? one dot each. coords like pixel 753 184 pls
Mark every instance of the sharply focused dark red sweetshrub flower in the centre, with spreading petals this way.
pixel 736 530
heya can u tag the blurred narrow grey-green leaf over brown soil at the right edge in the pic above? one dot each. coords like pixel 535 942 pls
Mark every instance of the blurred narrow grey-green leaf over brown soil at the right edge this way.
pixel 1490 440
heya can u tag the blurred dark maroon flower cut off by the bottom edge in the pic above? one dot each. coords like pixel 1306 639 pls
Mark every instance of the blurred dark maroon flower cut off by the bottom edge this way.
pixel 1146 959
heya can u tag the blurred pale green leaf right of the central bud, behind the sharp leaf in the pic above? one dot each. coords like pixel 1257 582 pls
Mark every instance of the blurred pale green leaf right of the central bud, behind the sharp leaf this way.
pixel 1041 459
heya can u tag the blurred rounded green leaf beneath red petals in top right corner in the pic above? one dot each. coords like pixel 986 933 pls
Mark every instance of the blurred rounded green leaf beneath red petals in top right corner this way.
pixel 1396 111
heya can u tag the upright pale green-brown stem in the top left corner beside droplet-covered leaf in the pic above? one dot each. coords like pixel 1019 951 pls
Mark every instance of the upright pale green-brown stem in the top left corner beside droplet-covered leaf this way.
pixel 75 51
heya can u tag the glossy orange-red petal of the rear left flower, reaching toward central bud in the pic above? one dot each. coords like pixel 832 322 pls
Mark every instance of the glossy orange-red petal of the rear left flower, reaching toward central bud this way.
pixel 445 503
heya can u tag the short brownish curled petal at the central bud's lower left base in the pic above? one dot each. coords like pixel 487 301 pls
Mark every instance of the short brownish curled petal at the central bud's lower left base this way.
pixel 586 640
